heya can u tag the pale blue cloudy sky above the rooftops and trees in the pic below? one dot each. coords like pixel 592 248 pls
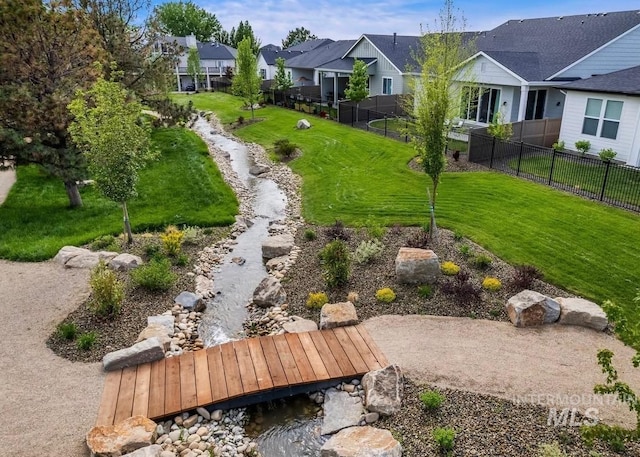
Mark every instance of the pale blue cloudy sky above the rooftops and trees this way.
pixel 271 20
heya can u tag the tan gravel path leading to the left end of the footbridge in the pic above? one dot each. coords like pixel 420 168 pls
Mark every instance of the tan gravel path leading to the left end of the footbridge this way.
pixel 47 404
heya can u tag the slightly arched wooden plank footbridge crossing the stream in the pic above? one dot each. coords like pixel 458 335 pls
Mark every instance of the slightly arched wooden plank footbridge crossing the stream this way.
pixel 239 373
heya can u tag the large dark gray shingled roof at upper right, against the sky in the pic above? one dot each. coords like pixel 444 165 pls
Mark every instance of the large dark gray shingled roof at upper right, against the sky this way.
pixel 536 49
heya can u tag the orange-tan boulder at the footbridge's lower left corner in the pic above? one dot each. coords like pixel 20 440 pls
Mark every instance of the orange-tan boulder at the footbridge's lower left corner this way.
pixel 122 438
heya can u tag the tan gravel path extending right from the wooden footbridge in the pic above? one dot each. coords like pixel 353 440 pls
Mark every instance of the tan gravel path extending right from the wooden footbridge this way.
pixel 551 366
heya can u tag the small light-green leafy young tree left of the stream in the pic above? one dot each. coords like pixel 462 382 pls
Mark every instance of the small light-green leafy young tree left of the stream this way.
pixel 117 145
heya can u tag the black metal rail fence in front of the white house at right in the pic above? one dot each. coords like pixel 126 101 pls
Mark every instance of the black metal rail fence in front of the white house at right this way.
pixel 609 182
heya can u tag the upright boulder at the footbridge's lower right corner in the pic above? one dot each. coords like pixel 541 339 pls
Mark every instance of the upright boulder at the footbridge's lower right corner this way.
pixel 383 390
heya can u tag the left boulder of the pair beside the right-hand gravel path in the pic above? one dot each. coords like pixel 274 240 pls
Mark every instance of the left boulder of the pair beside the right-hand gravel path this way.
pixel 529 308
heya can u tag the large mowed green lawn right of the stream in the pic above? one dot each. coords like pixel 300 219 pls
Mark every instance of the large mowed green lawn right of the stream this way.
pixel 355 176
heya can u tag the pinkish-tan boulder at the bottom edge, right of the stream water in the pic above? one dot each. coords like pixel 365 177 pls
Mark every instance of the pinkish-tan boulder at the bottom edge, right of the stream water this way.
pixel 362 442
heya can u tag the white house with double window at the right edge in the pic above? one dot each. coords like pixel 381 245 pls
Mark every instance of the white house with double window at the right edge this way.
pixel 605 110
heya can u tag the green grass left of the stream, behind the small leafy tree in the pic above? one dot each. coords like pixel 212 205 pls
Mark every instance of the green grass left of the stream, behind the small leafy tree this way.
pixel 183 187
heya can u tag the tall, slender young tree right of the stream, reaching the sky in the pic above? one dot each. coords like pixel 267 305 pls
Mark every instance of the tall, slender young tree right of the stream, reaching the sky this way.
pixel 435 95
